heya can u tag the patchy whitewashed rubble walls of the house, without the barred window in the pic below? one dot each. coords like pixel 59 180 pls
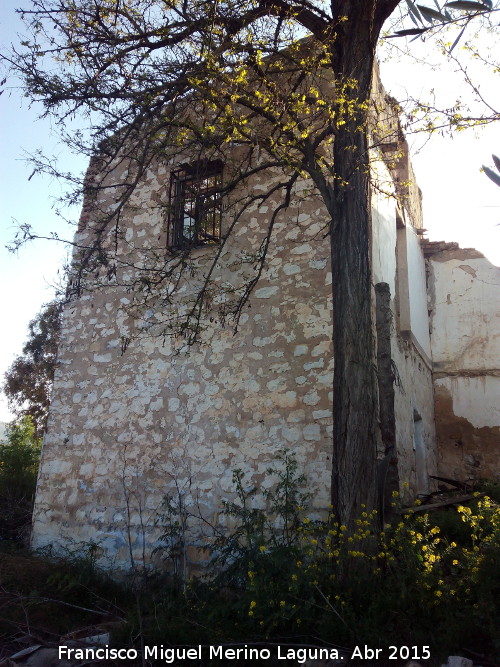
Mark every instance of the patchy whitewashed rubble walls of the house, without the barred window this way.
pixel 137 415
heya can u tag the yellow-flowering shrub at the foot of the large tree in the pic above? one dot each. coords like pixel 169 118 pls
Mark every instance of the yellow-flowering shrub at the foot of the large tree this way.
pixel 319 579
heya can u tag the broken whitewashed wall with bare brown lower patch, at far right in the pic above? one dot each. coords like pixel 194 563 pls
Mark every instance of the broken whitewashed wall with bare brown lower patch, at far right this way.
pixel 464 298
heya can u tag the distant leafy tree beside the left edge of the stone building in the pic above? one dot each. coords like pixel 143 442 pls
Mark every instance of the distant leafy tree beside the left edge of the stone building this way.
pixel 28 382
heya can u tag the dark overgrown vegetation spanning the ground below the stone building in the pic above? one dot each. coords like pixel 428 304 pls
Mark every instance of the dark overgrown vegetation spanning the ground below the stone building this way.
pixel 285 575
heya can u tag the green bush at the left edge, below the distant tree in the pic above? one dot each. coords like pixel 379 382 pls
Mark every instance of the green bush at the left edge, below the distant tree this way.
pixel 19 458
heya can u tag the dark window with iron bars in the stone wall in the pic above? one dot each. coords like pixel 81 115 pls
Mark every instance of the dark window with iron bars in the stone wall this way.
pixel 195 209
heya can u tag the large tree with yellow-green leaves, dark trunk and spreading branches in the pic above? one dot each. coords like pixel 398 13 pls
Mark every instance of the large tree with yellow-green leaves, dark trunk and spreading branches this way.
pixel 154 78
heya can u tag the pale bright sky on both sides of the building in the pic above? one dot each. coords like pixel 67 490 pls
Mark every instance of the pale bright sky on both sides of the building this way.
pixel 460 203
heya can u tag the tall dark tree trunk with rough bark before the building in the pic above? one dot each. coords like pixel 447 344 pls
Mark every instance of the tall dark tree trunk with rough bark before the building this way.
pixel 355 402
